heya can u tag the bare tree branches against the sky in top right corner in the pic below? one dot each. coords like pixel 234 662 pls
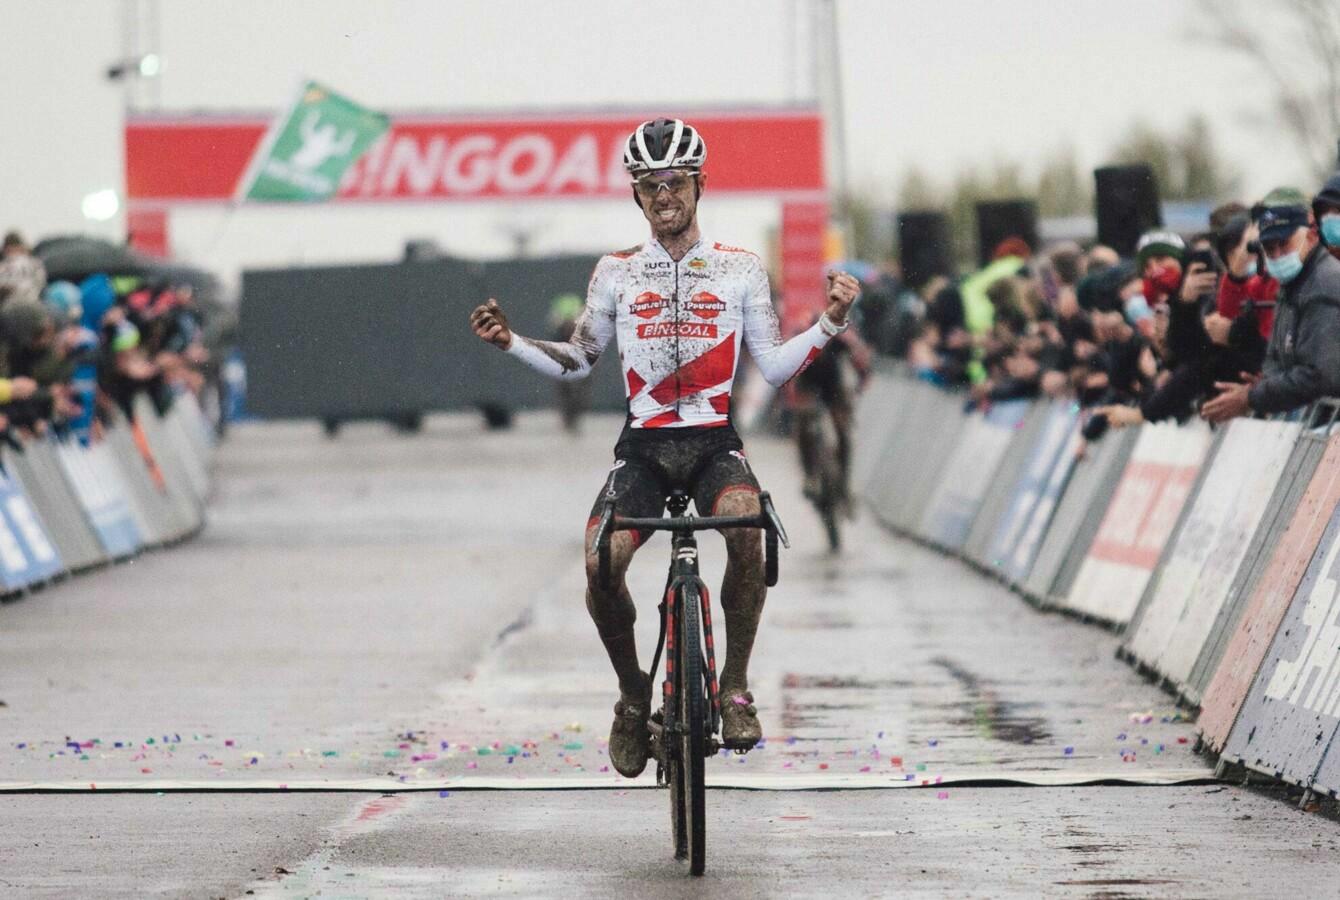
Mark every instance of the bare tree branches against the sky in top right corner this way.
pixel 1304 74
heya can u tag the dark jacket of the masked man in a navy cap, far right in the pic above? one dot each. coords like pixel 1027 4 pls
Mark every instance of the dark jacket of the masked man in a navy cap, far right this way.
pixel 1303 358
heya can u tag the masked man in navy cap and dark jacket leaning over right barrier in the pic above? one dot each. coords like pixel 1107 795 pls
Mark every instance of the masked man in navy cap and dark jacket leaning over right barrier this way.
pixel 1303 358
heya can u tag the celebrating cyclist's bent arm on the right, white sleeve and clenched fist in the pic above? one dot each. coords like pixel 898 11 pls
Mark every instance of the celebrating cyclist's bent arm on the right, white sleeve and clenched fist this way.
pixel 782 361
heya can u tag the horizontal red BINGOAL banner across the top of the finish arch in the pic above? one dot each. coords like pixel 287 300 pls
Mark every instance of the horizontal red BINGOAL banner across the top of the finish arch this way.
pixel 443 159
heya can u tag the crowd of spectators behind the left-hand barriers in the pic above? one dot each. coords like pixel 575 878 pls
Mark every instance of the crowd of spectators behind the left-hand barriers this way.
pixel 74 354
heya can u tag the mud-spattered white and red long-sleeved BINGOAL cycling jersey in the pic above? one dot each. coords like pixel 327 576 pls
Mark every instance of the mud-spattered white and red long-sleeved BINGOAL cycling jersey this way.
pixel 680 327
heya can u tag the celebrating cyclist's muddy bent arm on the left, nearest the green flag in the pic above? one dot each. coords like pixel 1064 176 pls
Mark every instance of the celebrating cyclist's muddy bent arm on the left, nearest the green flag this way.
pixel 562 360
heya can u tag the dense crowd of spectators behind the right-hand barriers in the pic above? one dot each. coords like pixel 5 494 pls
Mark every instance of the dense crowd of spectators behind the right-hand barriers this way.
pixel 1240 319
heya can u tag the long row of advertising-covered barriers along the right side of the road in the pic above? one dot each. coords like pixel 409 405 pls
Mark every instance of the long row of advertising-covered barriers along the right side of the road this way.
pixel 1219 552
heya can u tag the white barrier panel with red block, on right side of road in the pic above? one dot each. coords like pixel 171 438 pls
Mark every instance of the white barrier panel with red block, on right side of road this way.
pixel 1140 520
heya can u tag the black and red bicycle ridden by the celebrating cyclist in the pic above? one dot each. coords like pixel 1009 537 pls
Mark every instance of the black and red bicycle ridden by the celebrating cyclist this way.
pixel 684 732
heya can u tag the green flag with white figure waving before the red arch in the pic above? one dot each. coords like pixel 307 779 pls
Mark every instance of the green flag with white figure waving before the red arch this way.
pixel 310 148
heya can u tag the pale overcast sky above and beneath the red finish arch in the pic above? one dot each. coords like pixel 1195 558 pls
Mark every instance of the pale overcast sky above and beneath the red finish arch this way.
pixel 929 85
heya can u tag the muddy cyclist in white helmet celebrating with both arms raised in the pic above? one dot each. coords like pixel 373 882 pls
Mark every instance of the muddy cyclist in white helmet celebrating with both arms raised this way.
pixel 680 307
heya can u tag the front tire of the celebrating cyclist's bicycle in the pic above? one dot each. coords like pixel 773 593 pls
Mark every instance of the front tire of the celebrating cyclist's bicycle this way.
pixel 693 715
